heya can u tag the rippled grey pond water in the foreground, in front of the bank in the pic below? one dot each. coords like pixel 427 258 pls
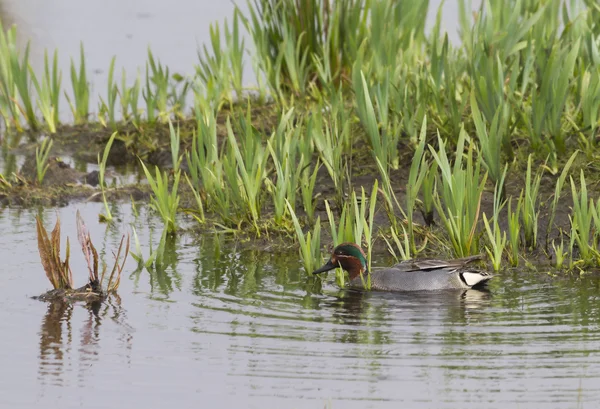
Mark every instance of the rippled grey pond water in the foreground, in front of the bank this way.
pixel 236 328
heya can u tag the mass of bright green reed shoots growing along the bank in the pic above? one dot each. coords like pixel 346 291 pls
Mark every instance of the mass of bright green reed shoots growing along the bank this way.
pixel 353 97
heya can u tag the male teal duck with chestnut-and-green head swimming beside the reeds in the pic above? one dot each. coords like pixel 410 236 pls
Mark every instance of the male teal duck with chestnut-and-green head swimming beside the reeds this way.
pixel 409 275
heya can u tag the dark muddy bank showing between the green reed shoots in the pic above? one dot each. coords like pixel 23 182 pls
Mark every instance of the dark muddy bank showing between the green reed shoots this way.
pixel 64 184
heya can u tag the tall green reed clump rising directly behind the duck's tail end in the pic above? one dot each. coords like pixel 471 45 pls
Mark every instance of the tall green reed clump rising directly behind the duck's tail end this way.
pixel 459 199
